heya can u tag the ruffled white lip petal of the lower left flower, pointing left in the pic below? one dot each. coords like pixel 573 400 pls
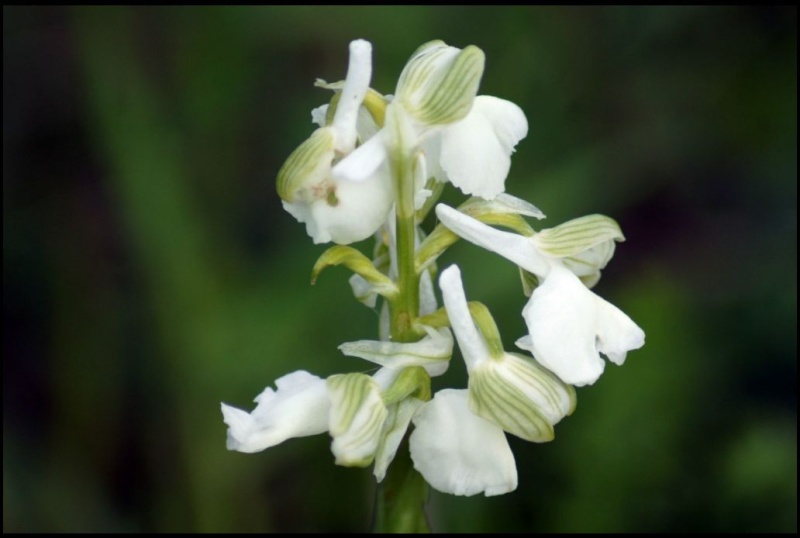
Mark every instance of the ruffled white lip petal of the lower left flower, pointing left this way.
pixel 298 408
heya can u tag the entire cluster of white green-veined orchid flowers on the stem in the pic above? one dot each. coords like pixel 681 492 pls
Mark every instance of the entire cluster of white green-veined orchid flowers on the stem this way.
pixel 347 182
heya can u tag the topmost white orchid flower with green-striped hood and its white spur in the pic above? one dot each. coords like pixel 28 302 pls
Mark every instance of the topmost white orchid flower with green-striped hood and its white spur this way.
pixel 467 140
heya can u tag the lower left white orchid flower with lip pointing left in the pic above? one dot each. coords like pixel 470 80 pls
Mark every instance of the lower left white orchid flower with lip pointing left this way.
pixel 367 416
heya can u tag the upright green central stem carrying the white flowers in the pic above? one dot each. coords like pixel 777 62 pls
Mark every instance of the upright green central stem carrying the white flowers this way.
pixel 401 496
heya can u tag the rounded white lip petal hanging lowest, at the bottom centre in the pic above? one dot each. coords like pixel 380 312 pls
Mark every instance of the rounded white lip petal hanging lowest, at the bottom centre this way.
pixel 458 452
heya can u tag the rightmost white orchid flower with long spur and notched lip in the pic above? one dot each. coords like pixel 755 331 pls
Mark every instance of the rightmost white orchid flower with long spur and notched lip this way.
pixel 569 326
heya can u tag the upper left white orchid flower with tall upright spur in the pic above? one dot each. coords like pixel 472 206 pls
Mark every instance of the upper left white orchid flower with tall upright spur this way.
pixel 334 208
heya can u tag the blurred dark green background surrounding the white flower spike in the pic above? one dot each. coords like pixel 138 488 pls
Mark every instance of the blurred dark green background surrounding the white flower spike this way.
pixel 149 272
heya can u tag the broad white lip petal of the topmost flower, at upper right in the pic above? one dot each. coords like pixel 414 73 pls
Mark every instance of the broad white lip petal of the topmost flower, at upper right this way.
pixel 476 151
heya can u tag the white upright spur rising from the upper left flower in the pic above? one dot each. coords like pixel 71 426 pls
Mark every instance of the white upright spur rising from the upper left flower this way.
pixel 359 72
